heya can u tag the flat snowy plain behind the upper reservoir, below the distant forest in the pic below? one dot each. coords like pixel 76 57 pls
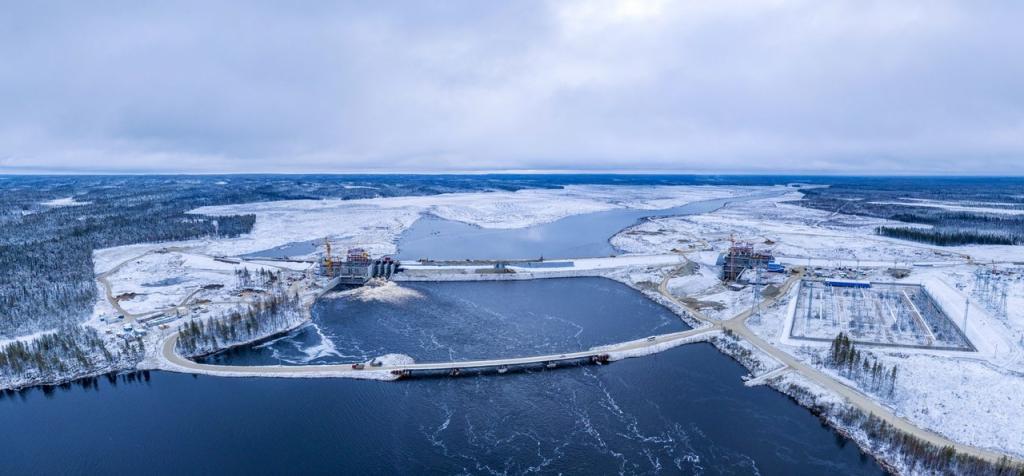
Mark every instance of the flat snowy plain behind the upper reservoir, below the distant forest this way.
pixel 376 224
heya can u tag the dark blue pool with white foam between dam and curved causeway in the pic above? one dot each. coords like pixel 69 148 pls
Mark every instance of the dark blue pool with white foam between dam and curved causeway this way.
pixel 441 322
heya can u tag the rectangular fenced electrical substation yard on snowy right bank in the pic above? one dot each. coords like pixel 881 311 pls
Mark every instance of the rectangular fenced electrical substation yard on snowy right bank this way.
pixel 875 314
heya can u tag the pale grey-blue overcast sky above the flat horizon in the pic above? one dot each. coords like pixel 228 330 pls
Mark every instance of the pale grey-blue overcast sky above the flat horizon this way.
pixel 719 86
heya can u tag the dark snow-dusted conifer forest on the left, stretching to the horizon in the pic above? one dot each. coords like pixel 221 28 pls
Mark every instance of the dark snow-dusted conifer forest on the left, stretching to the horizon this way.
pixel 47 250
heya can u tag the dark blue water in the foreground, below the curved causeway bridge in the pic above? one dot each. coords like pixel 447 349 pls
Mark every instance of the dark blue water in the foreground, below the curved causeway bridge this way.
pixel 682 412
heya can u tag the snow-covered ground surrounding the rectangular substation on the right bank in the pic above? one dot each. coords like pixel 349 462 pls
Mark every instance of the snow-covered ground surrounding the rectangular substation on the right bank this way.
pixel 971 398
